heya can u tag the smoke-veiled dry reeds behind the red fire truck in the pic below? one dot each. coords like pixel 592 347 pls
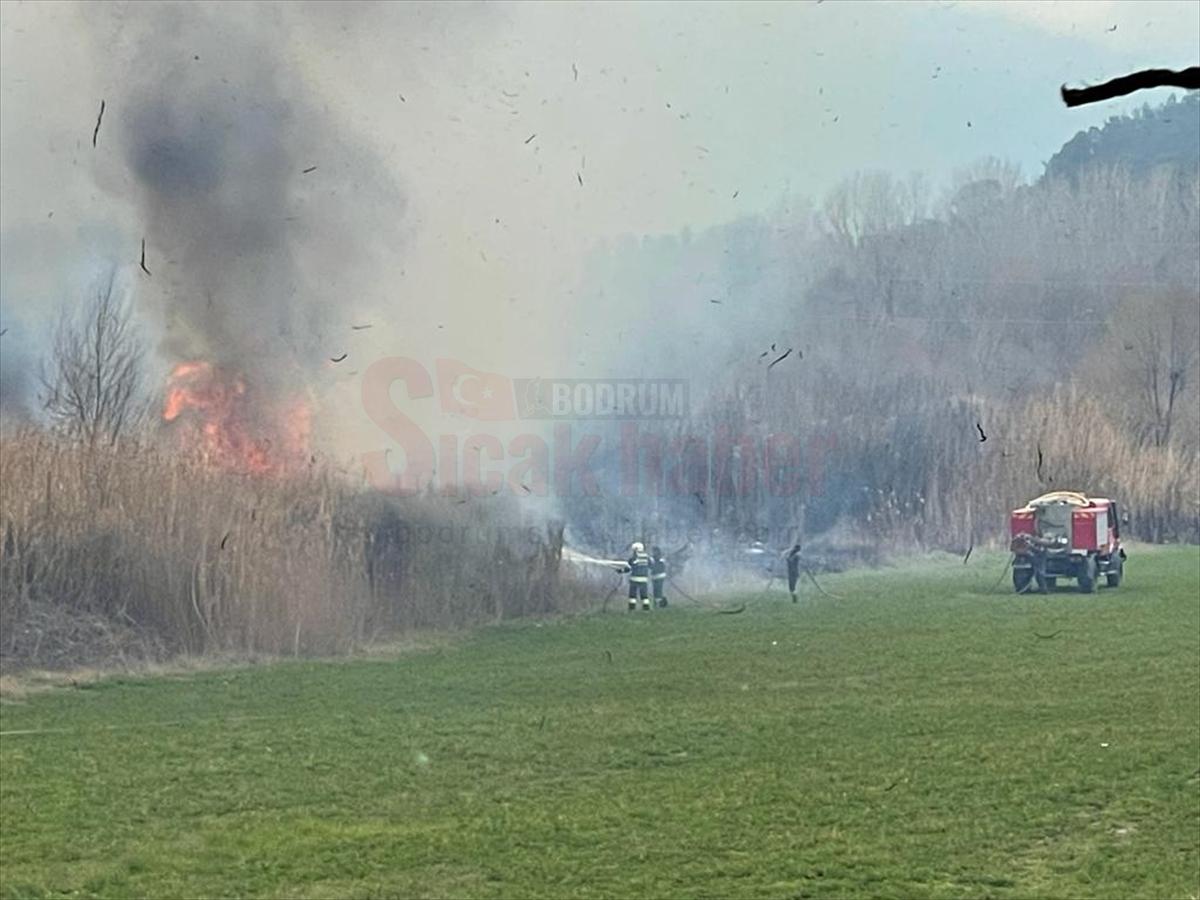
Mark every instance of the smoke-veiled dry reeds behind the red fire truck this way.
pixel 905 466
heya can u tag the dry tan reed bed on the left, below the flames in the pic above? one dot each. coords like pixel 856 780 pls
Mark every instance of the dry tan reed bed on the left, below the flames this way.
pixel 200 561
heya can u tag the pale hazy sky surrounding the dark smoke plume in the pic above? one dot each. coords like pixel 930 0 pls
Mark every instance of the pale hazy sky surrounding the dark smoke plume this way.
pixel 489 117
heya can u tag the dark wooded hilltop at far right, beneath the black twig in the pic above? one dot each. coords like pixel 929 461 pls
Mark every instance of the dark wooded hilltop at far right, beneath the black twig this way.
pixel 1151 137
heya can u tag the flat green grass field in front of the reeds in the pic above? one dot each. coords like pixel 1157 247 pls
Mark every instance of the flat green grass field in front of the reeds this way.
pixel 914 739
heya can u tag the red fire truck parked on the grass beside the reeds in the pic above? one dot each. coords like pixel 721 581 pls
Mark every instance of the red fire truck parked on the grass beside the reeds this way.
pixel 1066 535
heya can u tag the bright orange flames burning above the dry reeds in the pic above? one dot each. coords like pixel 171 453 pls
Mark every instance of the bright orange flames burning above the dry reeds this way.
pixel 227 428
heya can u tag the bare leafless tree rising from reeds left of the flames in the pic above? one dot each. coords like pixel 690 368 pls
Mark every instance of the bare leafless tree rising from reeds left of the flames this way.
pixel 92 382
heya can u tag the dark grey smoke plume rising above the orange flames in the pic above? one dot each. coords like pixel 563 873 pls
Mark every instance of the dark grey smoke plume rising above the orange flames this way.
pixel 255 265
